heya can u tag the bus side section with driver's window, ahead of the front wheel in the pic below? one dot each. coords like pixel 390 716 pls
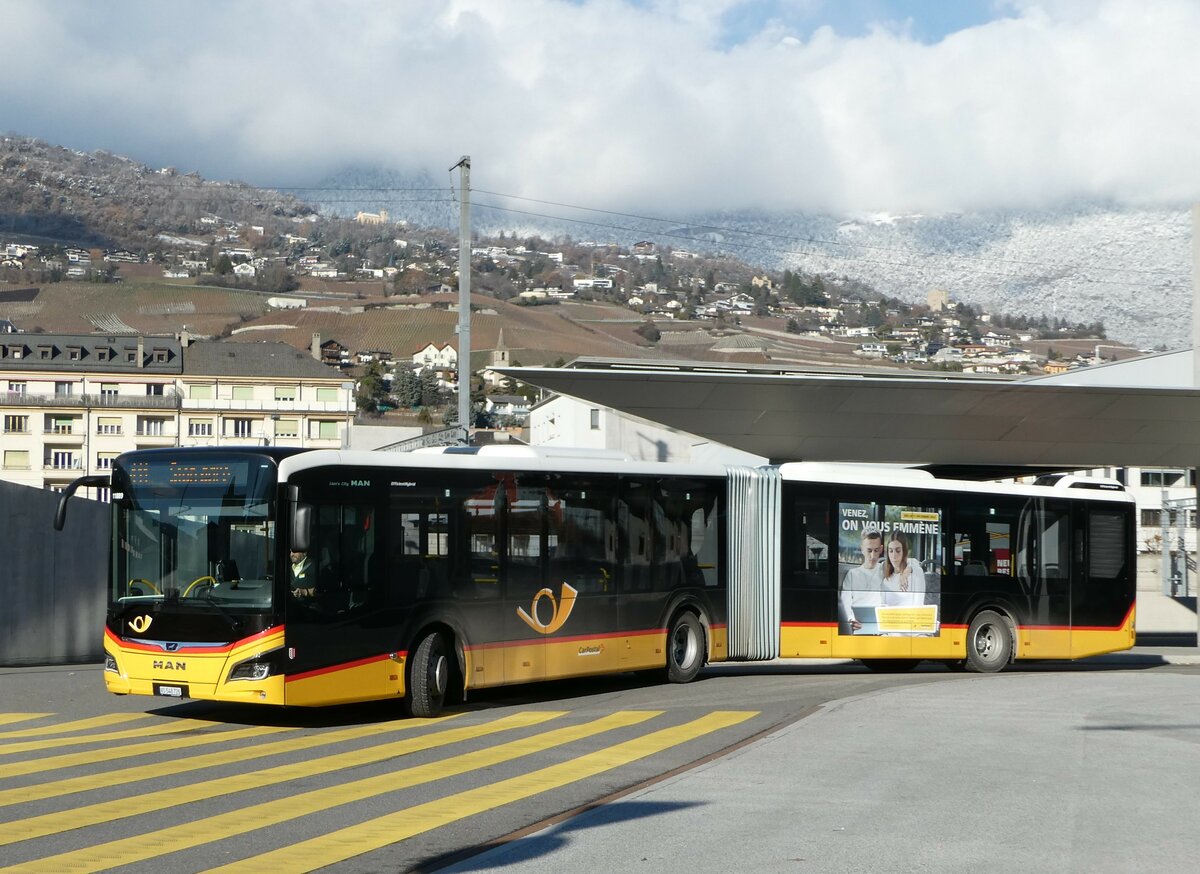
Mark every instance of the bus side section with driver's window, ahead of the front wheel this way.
pixel 338 625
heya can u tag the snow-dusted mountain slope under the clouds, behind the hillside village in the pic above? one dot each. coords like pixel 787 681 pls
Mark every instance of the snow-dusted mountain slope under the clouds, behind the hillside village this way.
pixel 1130 268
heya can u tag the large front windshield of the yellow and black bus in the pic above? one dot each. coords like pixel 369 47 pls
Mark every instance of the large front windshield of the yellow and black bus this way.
pixel 195 531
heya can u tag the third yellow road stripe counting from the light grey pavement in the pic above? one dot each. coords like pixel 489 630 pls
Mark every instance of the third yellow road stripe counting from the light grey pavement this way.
pixel 149 803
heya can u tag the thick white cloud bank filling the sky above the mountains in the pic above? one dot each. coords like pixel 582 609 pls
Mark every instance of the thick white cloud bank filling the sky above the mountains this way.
pixel 631 106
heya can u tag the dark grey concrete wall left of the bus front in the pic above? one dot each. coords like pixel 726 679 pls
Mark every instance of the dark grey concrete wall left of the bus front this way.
pixel 53 583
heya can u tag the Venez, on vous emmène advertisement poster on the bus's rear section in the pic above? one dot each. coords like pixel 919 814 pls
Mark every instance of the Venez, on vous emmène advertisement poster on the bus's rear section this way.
pixel 889 570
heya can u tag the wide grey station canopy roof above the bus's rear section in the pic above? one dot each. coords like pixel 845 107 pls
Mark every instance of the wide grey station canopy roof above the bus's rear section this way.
pixel 956 424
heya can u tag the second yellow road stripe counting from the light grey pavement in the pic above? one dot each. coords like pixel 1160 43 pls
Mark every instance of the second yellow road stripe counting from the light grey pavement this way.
pixel 250 819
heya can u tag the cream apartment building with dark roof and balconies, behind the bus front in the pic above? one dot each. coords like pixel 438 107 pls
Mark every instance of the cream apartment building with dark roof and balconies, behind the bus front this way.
pixel 71 404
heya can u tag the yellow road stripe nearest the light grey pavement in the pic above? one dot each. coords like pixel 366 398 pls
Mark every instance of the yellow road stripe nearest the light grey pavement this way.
pixel 383 831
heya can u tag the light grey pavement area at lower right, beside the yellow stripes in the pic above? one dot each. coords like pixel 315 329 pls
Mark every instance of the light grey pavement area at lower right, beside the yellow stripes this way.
pixel 1037 770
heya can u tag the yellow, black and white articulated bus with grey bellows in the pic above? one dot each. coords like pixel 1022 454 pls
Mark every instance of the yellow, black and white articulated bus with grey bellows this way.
pixel 322 577
